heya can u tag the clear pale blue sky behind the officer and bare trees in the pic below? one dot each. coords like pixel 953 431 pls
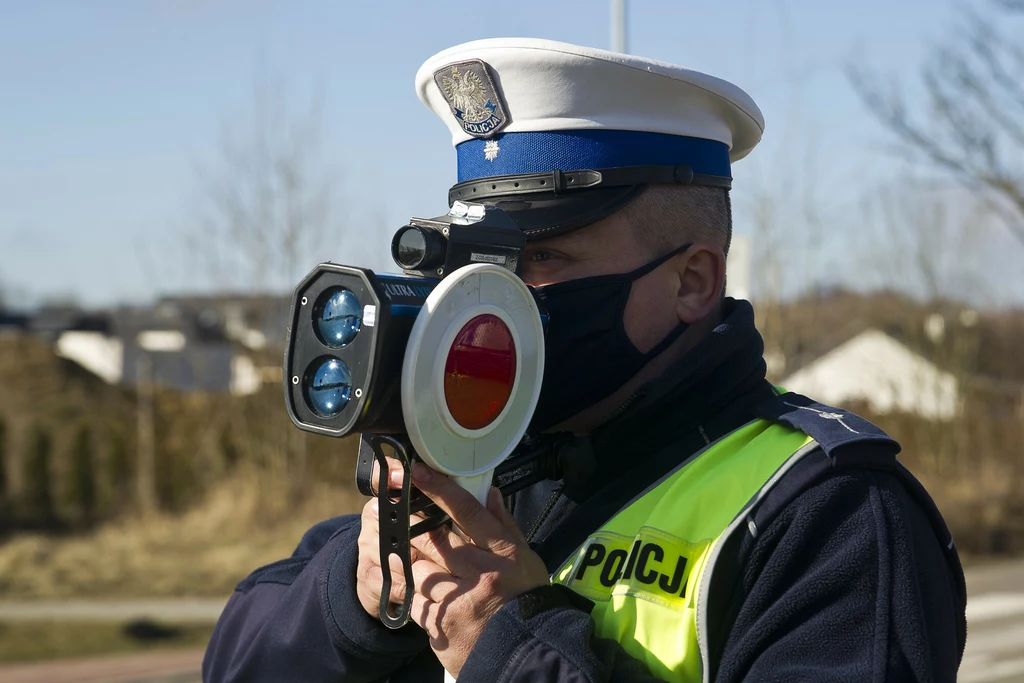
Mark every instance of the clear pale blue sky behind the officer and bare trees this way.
pixel 110 112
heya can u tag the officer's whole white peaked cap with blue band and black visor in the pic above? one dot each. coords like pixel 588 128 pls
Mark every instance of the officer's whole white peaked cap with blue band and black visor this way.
pixel 562 136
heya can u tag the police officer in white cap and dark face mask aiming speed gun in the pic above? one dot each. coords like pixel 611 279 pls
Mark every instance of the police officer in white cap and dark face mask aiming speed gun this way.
pixel 722 531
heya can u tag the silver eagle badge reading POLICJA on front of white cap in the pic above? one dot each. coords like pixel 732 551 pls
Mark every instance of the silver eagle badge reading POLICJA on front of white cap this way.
pixel 475 100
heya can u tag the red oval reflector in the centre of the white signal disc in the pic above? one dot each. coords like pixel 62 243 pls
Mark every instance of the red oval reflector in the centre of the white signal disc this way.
pixel 480 372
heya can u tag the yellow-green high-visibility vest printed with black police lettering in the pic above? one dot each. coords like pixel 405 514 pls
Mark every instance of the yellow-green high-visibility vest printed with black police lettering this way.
pixel 649 570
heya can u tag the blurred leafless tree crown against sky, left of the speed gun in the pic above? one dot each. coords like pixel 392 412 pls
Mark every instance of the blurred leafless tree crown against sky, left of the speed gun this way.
pixel 266 212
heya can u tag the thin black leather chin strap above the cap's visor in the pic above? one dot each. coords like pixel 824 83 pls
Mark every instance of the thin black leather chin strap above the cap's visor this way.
pixel 565 183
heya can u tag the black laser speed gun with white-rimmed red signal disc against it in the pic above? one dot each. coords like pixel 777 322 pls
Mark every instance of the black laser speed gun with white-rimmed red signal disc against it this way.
pixel 442 364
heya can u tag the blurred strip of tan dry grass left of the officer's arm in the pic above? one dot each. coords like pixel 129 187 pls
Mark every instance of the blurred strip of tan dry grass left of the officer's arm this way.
pixel 243 524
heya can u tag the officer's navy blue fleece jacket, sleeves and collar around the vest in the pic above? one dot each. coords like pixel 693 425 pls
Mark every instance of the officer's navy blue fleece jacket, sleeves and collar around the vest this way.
pixel 849 578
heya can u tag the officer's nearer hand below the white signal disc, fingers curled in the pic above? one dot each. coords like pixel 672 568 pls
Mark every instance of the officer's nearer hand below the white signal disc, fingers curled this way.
pixel 462 582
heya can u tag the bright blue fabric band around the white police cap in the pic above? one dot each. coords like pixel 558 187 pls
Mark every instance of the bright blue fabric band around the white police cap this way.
pixel 580 150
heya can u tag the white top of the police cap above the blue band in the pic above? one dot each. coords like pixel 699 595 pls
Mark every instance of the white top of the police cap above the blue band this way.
pixel 552 87
